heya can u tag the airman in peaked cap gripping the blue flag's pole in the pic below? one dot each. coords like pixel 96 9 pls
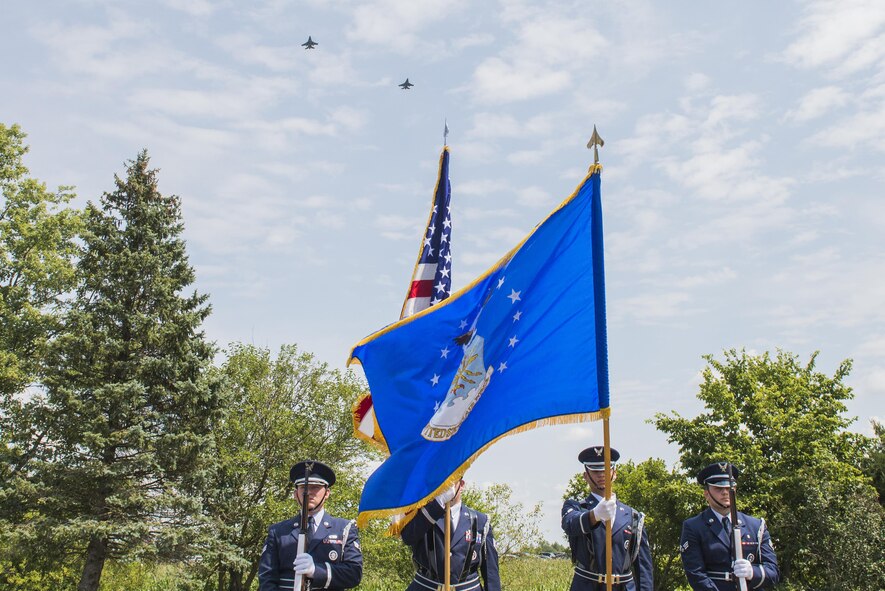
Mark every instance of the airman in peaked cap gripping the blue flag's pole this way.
pixel 584 524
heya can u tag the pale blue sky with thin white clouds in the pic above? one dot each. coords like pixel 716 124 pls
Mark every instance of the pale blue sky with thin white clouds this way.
pixel 742 188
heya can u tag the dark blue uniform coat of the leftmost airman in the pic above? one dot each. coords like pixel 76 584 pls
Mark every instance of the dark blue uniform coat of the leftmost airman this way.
pixel 335 549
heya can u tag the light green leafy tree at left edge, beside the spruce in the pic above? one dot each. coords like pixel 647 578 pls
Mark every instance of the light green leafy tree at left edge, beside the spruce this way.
pixel 37 253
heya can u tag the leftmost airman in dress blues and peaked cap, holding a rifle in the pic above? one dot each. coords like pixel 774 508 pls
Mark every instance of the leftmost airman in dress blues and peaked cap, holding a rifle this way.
pixel 332 560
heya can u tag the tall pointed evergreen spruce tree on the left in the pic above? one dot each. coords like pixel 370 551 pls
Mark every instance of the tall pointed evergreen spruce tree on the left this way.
pixel 129 391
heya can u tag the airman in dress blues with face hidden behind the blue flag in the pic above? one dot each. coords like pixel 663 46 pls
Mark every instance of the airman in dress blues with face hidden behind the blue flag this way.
pixel 473 550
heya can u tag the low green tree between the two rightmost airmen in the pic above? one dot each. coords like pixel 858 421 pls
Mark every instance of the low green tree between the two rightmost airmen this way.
pixel 667 498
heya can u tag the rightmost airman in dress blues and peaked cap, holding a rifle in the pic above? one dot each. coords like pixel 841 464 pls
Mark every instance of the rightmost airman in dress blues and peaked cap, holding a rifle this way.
pixel 707 540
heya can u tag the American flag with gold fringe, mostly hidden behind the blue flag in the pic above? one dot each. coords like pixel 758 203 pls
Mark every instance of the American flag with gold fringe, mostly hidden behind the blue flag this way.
pixel 431 283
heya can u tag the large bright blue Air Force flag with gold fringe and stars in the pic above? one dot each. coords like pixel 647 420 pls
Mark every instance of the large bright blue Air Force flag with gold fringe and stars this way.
pixel 522 346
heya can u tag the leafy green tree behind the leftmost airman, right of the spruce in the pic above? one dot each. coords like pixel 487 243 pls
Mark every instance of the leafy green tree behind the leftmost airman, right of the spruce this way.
pixel 280 410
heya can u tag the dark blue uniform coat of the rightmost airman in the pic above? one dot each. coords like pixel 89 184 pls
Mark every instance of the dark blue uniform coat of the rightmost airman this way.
pixel 706 552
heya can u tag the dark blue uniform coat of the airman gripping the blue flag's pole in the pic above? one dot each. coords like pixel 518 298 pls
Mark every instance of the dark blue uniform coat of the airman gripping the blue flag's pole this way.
pixel 631 554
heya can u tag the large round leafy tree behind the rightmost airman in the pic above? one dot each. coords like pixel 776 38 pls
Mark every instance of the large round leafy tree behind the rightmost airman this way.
pixel 783 422
